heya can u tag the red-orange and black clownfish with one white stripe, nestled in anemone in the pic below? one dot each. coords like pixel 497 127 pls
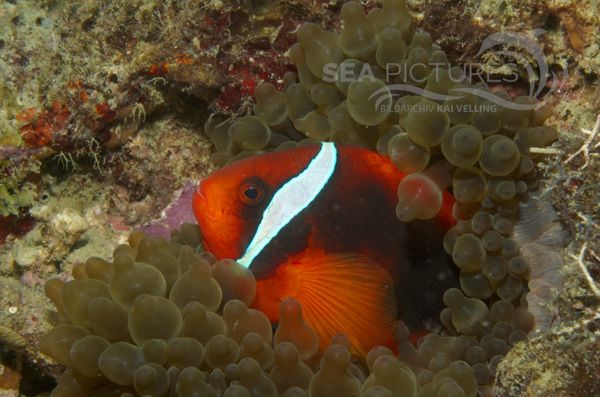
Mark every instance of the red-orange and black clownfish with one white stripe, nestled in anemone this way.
pixel 317 222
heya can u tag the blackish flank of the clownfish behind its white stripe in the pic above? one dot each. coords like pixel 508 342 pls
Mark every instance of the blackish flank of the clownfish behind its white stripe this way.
pixel 355 213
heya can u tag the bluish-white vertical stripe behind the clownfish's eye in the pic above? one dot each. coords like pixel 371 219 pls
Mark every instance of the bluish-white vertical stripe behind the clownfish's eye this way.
pixel 295 195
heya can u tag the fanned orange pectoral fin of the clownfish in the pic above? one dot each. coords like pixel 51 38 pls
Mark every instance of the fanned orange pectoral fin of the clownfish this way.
pixel 349 294
